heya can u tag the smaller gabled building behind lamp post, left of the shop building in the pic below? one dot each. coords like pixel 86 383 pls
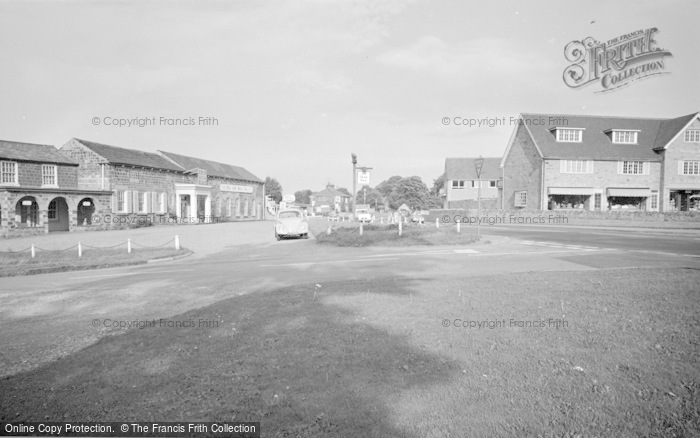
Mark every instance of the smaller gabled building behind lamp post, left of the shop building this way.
pixel 462 183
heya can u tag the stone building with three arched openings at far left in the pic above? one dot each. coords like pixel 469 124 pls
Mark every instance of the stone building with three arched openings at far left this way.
pixel 40 192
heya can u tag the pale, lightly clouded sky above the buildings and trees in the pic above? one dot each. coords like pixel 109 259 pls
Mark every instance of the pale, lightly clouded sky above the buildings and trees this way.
pixel 291 89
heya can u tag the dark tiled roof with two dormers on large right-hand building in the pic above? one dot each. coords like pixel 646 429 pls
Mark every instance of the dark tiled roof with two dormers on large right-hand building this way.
pixel 597 142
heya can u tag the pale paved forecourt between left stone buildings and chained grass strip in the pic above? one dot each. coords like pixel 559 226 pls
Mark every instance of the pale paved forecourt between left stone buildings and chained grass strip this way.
pixel 201 239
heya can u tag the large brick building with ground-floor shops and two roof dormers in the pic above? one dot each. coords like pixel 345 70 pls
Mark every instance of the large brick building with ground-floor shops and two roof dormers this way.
pixel 560 162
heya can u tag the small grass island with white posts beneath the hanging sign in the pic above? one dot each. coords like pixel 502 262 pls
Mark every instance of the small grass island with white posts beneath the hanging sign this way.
pixel 347 234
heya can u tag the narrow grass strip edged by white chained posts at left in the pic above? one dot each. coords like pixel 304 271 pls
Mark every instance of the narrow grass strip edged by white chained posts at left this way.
pixel 21 263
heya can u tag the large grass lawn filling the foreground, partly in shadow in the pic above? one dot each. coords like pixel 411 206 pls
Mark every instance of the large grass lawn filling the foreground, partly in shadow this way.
pixel 393 358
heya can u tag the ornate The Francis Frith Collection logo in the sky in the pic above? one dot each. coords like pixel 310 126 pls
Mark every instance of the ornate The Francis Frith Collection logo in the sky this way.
pixel 615 63
